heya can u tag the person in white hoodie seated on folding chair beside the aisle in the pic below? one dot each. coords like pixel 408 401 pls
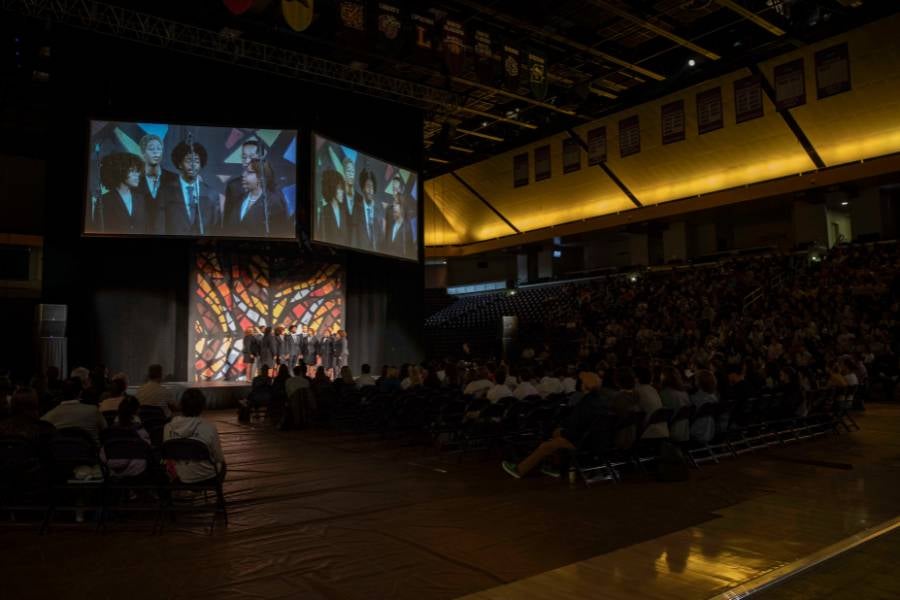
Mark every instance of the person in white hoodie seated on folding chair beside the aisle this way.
pixel 190 425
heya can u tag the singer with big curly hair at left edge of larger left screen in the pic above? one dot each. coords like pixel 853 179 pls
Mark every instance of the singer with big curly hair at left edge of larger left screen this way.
pixel 122 209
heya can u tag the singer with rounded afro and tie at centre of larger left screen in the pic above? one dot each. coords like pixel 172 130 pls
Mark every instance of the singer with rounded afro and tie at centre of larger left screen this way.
pixel 191 207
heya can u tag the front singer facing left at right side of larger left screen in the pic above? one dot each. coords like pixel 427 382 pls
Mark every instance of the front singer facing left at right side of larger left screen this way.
pixel 261 212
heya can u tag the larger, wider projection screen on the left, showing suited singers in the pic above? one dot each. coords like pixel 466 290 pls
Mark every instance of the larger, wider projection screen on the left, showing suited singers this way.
pixel 157 179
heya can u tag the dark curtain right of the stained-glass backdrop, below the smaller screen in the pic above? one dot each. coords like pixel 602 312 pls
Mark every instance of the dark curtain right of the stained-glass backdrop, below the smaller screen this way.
pixel 384 311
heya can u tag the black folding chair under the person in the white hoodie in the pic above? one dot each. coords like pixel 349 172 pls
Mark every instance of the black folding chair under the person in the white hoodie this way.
pixel 193 451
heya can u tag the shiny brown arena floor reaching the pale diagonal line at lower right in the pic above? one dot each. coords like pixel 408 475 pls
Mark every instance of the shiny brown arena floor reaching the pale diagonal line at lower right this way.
pixel 332 515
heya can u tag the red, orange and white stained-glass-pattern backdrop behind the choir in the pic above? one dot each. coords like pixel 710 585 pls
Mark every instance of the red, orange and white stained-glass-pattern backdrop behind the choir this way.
pixel 231 291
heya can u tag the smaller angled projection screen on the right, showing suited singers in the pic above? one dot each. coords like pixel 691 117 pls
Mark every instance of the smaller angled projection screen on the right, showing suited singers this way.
pixel 364 203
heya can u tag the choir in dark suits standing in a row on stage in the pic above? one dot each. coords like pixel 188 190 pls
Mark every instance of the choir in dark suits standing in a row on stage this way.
pixel 274 347
